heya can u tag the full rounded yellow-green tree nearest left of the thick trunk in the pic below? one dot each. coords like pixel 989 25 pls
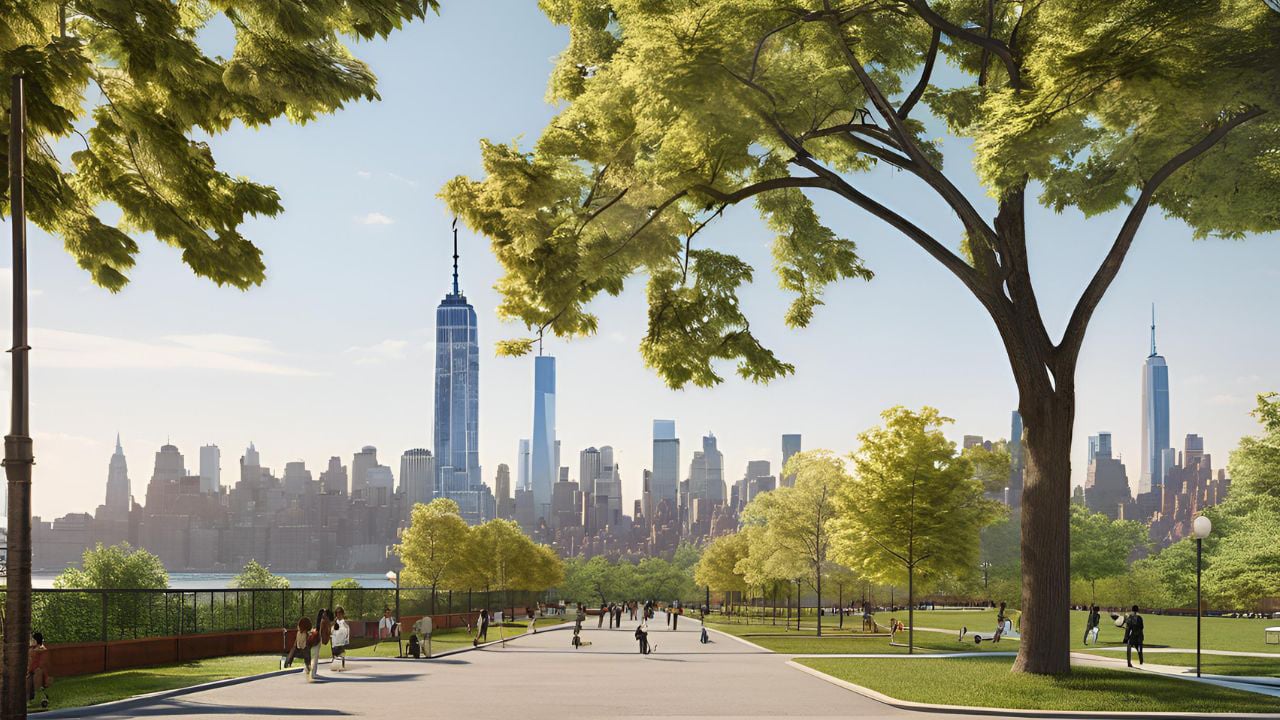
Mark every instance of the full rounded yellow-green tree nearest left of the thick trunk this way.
pixel 915 511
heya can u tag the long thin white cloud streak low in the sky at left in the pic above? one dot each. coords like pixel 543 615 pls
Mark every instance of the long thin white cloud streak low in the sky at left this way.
pixel 76 350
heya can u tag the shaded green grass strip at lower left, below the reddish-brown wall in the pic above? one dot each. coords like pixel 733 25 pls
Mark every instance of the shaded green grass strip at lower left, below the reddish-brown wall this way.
pixel 120 685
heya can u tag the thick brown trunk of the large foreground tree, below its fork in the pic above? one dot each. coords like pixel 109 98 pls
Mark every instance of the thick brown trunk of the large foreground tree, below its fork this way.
pixel 1045 648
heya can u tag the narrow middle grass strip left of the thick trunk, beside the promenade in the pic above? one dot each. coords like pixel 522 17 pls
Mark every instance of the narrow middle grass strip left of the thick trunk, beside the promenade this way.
pixel 834 641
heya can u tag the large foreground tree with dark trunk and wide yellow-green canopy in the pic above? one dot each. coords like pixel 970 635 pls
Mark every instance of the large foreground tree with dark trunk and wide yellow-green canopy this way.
pixel 676 112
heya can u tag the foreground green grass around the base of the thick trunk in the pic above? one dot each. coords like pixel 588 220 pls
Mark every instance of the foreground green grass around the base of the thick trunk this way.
pixel 986 682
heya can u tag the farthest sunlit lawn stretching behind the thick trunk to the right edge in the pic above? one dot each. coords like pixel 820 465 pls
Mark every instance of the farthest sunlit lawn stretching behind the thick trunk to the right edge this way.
pixel 1168 631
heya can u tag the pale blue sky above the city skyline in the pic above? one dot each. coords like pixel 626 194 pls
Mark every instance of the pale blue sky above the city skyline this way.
pixel 335 350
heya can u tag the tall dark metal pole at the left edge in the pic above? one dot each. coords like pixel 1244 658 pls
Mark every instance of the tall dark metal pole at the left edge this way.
pixel 19 457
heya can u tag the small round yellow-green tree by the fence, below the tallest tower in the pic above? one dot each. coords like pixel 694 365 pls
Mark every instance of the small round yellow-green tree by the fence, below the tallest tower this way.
pixel 433 546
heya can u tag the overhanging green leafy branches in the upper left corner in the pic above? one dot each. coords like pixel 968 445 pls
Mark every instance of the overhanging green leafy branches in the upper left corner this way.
pixel 135 89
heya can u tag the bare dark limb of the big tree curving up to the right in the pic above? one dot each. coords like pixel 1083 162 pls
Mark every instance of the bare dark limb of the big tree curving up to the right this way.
pixel 1075 336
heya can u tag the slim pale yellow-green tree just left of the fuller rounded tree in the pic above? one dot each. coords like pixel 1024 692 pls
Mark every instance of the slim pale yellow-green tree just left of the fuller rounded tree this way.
pixel 798 518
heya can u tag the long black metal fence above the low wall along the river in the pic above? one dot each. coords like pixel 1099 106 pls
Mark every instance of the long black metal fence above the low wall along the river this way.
pixel 76 616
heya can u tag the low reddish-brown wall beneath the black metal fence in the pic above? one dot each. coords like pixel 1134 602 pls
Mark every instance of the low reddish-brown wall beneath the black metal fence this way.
pixel 85 659
